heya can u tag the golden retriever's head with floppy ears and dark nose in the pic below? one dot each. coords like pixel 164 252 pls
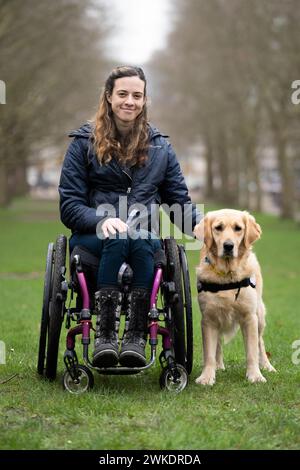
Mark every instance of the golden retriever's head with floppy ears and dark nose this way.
pixel 228 232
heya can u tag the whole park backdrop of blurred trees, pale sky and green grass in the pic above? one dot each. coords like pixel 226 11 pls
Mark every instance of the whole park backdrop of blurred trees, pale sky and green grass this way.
pixel 221 77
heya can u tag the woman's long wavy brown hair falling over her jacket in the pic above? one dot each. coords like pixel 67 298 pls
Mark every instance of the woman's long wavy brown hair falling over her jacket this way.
pixel 134 148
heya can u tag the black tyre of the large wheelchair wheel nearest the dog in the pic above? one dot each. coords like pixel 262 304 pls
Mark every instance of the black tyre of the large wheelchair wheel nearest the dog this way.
pixel 177 326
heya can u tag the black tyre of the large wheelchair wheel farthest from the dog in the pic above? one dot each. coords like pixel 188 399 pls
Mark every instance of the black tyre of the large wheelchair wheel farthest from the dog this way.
pixel 57 306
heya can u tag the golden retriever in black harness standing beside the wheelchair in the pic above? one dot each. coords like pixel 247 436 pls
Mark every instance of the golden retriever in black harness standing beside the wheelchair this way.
pixel 226 260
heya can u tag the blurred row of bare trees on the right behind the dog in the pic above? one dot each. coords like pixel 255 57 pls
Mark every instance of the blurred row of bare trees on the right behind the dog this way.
pixel 226 81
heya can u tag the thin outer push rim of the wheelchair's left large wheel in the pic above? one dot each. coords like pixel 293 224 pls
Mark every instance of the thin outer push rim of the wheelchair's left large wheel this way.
pixel 45 310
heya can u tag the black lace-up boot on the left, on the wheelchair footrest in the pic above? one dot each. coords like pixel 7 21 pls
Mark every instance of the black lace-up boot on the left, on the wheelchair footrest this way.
pixel 108 306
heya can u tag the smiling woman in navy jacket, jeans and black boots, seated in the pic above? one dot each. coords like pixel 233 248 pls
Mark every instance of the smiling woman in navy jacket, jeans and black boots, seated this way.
pixel 120 157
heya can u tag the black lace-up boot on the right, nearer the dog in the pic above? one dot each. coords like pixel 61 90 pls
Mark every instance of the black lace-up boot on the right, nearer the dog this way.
pixel 135 336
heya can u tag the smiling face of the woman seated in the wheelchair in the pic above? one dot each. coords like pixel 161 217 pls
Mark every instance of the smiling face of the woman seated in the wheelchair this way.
pixel 127 99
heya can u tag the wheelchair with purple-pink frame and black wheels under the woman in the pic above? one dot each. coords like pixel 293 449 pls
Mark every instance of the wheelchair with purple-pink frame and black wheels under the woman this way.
pixel 170 316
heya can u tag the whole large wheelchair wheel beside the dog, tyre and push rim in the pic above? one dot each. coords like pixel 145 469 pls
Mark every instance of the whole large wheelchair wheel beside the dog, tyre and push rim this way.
pixel 181 324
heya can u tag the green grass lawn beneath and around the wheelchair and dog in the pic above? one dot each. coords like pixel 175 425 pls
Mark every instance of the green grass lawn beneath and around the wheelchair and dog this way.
pixel 132 412
